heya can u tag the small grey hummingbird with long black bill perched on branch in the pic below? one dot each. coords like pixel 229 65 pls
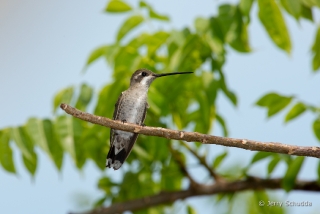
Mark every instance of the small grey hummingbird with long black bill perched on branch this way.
pixel 131 107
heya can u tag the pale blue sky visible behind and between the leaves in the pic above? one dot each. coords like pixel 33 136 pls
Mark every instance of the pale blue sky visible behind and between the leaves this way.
pixel 43 48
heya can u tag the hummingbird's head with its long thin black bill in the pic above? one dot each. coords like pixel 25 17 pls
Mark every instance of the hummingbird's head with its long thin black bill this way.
pixel 144 77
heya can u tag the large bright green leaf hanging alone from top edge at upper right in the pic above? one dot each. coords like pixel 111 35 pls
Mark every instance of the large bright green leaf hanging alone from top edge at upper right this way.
pixel 271 17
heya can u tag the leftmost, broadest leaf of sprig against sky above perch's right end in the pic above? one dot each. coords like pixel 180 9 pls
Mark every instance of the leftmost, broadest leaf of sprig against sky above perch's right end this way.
pixel 274 102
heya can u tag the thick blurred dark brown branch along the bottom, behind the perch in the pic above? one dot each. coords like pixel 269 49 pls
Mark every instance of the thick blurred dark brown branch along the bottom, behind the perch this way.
pixel 251 183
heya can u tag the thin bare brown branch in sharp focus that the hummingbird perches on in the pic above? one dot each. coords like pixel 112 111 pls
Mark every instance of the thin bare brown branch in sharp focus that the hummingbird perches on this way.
pixel 195 136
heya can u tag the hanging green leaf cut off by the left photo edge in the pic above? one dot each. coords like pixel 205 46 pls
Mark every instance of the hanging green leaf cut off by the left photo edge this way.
pixel 6 158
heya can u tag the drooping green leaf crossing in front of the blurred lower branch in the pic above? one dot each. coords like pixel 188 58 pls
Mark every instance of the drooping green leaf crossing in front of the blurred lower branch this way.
pixel 289 179
